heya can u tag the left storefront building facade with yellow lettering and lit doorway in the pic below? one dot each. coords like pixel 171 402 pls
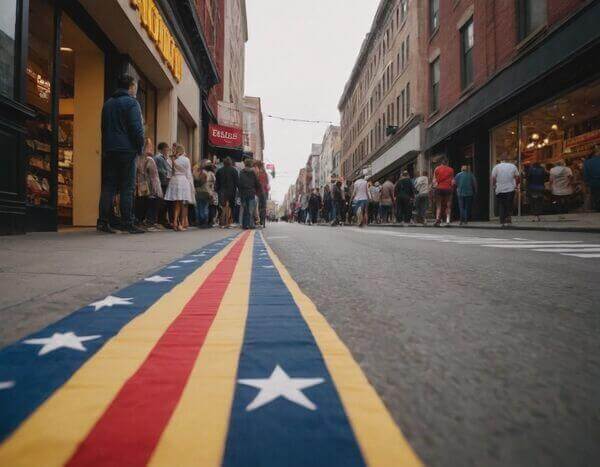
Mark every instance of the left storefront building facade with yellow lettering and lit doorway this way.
pixel 60 61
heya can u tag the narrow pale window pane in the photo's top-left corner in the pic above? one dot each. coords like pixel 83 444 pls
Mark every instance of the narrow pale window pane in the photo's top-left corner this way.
pixel 8 22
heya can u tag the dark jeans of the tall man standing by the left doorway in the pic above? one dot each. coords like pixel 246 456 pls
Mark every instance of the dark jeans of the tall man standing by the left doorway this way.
pixel 118 175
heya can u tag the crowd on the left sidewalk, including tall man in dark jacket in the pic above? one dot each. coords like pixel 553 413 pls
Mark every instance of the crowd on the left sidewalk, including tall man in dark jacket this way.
pixel 147 191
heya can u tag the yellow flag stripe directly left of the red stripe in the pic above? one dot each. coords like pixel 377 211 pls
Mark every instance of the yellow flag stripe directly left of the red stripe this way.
pixel 51 434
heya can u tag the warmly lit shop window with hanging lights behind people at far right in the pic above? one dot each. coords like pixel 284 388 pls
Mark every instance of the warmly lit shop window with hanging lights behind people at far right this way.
pixel 559 133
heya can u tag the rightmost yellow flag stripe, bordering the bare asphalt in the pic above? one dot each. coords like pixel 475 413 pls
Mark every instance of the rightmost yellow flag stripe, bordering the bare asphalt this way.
pixel 380 440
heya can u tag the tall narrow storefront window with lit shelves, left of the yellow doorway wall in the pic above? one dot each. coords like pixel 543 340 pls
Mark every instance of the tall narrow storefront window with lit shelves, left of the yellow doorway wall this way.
pixel 39 96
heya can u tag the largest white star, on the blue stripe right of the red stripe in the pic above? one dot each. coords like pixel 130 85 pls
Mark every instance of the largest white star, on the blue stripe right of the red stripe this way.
pixel 279 384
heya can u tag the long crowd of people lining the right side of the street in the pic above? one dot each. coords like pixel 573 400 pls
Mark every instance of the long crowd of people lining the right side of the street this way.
pixel 407 200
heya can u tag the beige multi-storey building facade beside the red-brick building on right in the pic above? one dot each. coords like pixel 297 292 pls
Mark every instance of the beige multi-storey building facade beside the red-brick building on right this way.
pixel 382 106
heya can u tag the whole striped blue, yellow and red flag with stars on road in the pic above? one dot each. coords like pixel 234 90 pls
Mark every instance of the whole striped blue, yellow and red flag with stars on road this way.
pixel 217 359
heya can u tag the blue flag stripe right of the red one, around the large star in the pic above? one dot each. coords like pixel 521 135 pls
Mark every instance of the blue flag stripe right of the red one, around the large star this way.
pixel 282 432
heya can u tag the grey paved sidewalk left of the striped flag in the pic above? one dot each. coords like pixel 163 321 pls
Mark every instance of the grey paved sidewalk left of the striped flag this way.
pixel 45 276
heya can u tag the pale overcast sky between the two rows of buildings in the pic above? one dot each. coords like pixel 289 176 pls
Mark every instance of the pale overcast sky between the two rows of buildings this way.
pixel 299 55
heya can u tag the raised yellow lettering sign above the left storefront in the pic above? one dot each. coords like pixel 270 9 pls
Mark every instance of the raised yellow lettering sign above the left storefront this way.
pixel 158 31
